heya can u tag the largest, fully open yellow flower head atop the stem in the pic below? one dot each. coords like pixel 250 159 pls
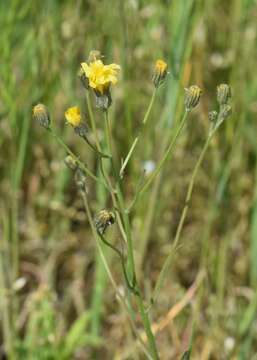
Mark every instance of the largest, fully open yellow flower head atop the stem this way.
pixel 100 76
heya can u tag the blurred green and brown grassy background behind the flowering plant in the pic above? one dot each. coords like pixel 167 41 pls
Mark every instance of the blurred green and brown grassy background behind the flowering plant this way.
pixel 56 300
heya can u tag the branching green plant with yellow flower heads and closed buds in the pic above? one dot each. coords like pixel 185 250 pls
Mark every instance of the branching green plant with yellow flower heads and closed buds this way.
pixel 98 79
